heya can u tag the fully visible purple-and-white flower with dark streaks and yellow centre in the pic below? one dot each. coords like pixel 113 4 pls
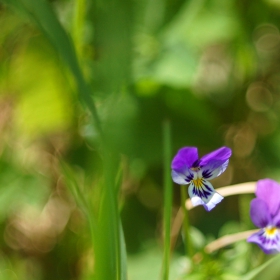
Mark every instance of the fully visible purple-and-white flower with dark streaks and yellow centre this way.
pixel 187 168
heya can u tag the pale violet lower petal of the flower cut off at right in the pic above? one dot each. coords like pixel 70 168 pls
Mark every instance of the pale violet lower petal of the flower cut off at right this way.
pixel 269 244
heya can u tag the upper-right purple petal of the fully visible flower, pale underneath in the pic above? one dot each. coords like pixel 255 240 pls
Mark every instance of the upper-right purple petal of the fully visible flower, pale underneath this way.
pixel 215 163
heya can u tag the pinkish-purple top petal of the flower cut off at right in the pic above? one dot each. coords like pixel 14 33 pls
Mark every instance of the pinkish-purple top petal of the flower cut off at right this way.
pixel 269 191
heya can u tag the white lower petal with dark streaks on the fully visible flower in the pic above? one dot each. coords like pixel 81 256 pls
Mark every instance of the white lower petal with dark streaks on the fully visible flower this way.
pixel 204 195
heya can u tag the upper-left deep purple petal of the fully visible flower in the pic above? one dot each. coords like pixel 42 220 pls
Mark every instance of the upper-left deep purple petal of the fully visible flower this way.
pixel 184 159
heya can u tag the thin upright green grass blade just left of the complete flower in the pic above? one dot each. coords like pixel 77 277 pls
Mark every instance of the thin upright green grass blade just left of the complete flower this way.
pixel 167 199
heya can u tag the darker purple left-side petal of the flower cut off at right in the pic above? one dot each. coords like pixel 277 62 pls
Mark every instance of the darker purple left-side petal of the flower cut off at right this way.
pixel 259 213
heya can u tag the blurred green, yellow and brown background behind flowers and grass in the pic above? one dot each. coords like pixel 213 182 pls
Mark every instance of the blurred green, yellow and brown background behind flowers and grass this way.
pixel 210 67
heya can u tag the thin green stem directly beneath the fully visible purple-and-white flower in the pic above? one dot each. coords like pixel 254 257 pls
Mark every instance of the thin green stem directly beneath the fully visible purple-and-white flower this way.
pixel 186 223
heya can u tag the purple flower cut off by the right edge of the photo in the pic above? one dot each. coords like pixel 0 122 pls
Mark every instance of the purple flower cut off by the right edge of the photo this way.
pixel 265 214
